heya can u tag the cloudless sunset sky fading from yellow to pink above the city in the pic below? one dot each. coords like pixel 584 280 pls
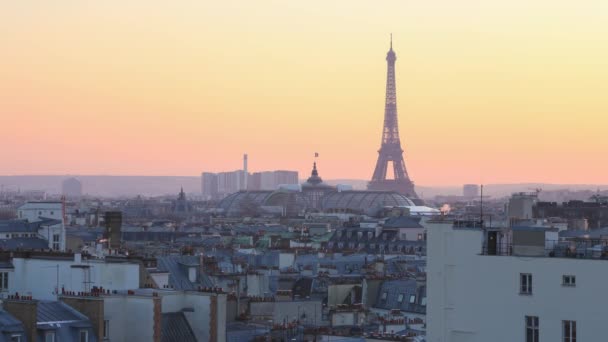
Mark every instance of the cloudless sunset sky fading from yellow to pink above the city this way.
pixel 488 90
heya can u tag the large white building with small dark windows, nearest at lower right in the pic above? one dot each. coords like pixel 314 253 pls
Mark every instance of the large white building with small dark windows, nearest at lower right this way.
pixel 513 285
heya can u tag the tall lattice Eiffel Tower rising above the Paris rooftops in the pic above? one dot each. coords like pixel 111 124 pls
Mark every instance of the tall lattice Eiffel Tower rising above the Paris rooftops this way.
pixel 390 150
